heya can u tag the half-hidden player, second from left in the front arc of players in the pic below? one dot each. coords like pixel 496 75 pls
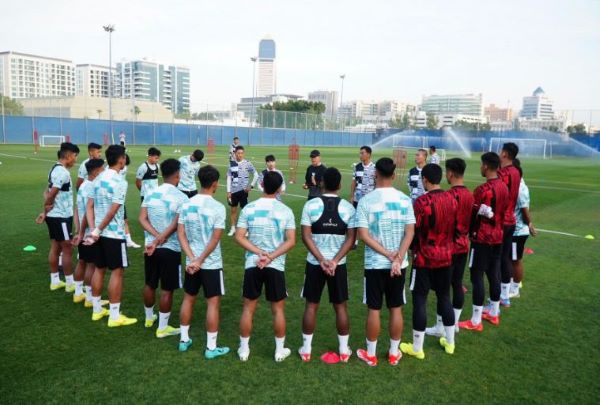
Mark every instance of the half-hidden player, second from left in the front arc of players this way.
pixel 87 254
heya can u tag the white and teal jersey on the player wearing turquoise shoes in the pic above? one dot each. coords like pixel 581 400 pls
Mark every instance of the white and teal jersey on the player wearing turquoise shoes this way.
pixel 200 216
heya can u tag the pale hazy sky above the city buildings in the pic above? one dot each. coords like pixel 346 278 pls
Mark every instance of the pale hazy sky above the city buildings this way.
pixel 387 49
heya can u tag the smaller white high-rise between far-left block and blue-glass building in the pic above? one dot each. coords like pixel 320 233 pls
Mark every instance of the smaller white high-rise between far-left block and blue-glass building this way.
pixel 92 81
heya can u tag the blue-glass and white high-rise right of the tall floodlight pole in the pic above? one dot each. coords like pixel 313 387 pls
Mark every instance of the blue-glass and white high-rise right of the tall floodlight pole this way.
pixel 147 80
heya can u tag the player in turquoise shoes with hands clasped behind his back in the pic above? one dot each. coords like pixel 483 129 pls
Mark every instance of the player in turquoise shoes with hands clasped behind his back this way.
pixel 201 225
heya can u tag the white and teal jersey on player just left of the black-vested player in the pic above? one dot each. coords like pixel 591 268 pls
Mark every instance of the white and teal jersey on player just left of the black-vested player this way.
pixel 266 220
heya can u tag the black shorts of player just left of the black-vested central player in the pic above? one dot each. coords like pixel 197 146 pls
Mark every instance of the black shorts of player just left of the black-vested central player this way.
pixel 274 281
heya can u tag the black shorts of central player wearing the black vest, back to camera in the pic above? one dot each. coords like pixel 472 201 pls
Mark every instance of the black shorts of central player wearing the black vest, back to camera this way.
pixel 315 279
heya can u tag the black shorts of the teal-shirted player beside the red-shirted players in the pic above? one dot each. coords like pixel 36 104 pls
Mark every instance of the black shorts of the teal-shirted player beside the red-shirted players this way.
pixel 378 283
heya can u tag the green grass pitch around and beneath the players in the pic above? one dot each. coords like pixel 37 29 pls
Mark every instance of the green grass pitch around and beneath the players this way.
pixel 545 350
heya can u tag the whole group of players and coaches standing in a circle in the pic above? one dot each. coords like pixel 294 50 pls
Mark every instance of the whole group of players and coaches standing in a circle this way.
pixel 437 230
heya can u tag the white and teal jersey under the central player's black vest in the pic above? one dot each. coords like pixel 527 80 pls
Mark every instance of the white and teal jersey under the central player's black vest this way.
pixel 328 244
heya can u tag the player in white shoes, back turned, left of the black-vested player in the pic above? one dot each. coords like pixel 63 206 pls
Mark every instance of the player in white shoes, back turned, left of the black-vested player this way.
pixel 271 234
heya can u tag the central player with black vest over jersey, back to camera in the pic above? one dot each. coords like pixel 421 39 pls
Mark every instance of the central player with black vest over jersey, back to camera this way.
pixel 328 231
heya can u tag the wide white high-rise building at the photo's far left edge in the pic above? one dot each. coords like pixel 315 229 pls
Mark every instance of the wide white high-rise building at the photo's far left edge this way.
pixel 27 76
